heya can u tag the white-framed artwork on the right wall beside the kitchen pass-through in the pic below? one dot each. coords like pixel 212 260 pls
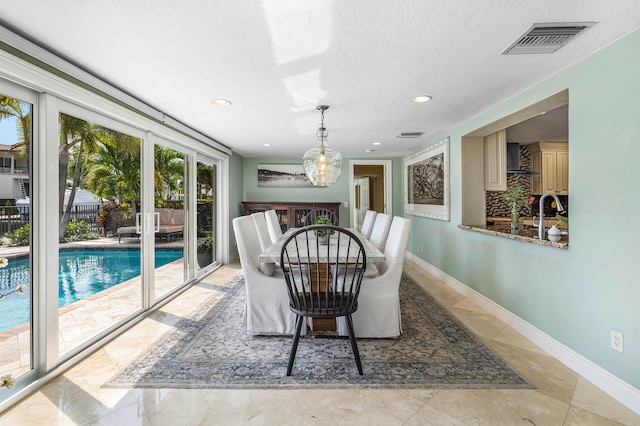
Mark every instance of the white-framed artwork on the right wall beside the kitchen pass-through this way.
pixel 426 178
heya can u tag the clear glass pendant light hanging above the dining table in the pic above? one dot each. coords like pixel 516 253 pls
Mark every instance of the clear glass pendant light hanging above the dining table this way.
pixel 322 164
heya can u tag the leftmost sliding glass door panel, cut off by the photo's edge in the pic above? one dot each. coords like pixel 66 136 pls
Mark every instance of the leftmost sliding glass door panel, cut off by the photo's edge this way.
pixel 16 209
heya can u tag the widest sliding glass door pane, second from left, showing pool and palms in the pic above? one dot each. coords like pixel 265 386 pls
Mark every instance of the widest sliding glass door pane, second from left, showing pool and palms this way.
pixel 101 222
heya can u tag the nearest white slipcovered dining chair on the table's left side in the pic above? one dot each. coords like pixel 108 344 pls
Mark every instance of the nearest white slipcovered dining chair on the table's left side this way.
pixel 267 306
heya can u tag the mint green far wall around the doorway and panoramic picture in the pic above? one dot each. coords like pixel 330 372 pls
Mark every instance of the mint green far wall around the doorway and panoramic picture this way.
pixel 337 192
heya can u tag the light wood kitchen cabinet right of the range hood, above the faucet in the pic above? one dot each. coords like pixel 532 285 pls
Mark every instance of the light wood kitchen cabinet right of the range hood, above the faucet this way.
pixel 550 164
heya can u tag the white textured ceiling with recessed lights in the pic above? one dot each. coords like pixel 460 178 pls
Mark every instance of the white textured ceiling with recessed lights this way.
pixel 277 59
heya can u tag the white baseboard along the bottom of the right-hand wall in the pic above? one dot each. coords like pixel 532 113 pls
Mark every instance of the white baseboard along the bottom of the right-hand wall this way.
pixel 617 388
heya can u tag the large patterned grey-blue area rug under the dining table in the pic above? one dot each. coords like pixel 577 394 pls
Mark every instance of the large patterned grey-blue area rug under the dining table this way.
pixel 210 349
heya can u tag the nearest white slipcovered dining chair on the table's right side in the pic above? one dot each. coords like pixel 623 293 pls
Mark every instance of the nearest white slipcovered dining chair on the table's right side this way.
pixel 378 313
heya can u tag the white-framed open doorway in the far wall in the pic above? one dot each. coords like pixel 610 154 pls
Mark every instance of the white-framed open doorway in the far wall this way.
pixel 369 189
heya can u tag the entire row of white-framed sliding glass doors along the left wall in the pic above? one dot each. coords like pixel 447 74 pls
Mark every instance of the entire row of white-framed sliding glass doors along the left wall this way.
pixel 100 220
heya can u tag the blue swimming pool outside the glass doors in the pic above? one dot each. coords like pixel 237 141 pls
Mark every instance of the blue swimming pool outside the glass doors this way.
pixel 81 273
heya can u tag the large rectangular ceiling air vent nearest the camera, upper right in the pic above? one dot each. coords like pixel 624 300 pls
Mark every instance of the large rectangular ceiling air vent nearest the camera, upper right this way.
pixel 546 38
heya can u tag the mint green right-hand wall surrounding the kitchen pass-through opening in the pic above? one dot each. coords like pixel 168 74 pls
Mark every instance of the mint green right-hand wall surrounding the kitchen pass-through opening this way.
pixel 575 295
